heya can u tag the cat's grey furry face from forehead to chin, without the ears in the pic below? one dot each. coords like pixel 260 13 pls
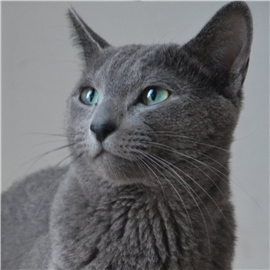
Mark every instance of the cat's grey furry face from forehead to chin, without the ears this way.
pixel 122 78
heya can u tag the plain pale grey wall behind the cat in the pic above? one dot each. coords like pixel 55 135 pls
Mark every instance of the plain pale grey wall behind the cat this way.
pixel 40 68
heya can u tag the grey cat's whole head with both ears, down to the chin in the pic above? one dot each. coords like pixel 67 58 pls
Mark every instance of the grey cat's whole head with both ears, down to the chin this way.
pixel 138 109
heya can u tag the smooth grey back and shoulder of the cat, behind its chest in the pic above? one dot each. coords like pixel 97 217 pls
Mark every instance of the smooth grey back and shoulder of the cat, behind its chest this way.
pixel 25 212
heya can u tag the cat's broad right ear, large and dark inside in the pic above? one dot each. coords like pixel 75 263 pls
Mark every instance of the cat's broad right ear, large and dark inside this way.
pixel 225 41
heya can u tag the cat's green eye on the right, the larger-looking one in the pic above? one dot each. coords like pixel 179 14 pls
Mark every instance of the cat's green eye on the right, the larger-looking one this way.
pixel 154 95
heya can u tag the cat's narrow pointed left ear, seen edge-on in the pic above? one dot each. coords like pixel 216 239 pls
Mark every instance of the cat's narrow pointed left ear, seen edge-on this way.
pixel 89 41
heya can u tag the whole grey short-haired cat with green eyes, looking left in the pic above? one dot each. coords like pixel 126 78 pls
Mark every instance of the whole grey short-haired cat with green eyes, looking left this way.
pixel 149 128
